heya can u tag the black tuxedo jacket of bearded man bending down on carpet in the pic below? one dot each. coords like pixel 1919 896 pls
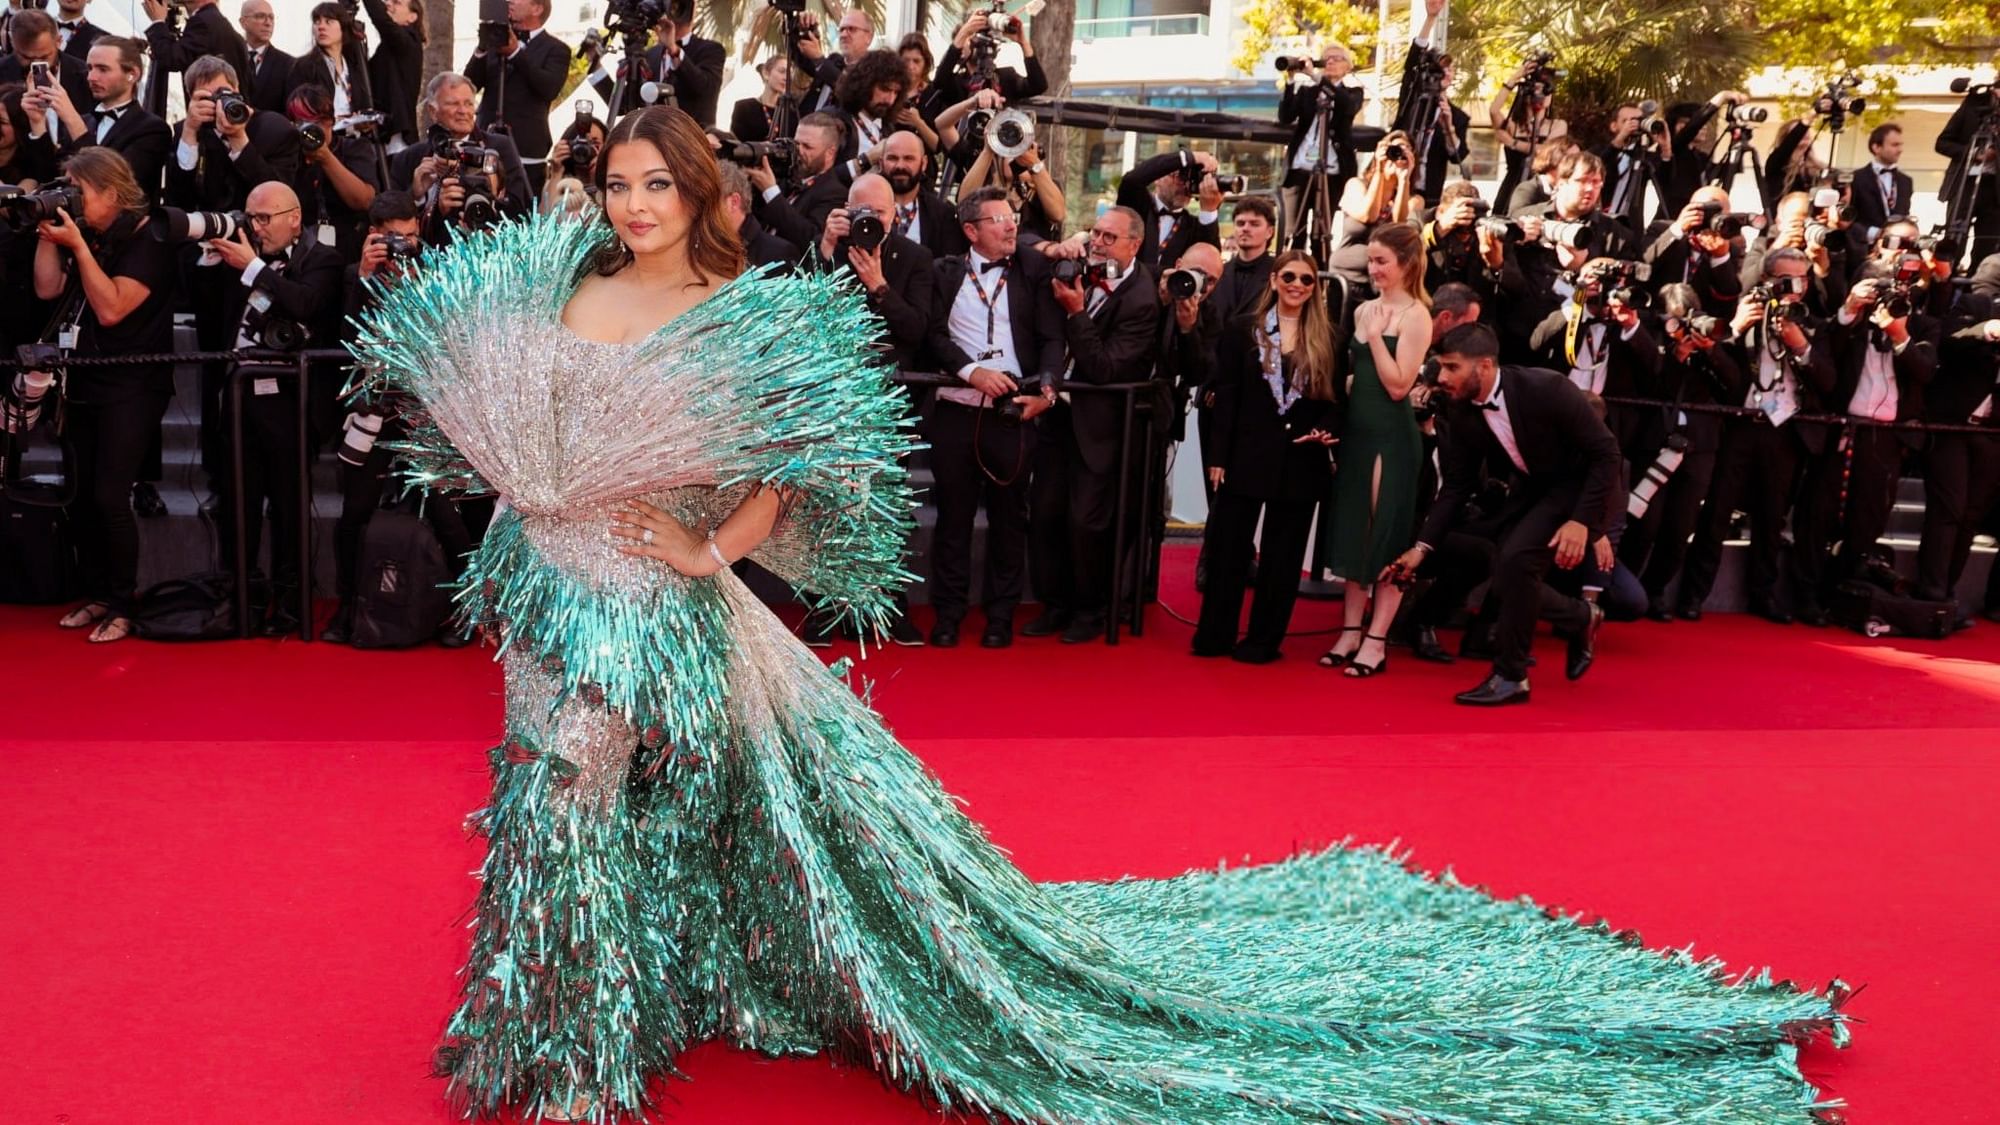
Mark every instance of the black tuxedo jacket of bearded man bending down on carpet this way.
pixel 1561 439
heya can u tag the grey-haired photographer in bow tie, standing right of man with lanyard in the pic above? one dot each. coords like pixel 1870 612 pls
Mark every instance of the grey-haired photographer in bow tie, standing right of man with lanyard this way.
pixel 1111 327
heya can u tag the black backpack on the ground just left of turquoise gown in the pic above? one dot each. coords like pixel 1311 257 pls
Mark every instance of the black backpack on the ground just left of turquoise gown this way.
pixel 399 584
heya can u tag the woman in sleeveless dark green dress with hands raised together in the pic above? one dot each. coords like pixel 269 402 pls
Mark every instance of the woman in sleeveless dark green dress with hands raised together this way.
pixel 1381 449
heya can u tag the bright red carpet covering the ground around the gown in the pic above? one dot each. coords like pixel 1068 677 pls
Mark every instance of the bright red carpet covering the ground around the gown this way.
pixel 235 874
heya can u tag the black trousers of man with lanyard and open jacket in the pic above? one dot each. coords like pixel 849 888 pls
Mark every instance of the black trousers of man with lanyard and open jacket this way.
pixel 979 459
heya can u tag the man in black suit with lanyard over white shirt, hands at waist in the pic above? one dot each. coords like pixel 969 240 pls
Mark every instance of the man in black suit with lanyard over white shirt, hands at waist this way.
pixel 997 327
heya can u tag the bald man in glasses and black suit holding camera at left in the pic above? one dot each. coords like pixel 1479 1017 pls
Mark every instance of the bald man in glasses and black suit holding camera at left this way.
pixel 299 299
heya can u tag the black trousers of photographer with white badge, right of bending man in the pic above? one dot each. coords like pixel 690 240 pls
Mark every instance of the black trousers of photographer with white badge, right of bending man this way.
pixel 1757 469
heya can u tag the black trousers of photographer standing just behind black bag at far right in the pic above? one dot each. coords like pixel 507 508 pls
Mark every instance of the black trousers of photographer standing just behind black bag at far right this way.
pixel 1865 473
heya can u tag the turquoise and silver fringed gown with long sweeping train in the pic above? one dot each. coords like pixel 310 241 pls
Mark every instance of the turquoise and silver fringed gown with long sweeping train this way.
pixel 699 832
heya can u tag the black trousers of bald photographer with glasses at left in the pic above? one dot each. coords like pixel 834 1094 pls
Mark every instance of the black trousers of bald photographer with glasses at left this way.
pixel 271 481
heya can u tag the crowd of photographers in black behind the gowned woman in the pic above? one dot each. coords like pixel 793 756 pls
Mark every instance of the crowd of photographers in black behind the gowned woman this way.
pixel 1761 361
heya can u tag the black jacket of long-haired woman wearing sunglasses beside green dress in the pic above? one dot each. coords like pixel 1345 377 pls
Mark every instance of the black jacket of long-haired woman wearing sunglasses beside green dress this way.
pixel 1251 441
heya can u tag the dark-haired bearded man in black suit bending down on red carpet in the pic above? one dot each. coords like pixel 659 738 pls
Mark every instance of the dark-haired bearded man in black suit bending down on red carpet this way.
pixel 1557 511
